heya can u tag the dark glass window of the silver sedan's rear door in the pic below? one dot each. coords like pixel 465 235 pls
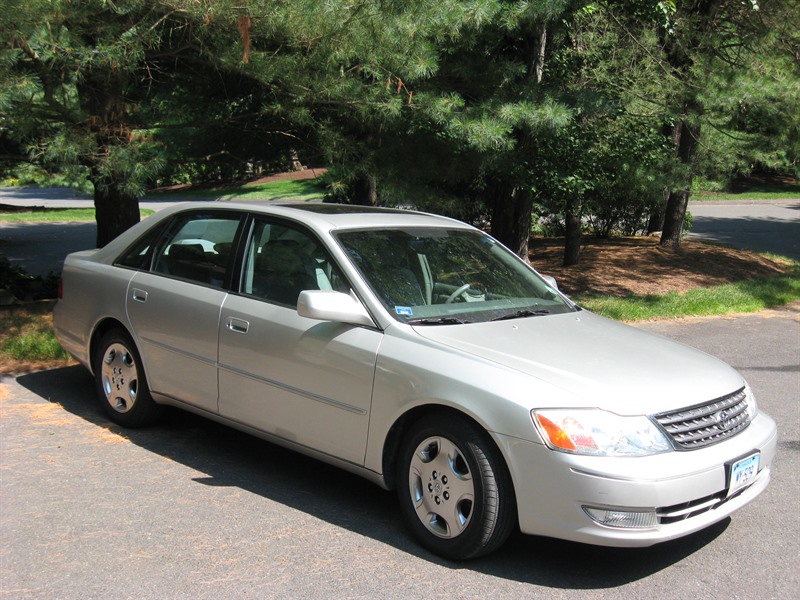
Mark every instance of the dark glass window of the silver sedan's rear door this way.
pixel 198 248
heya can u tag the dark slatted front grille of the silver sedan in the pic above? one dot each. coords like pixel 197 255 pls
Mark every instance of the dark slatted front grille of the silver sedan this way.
pixel 706 424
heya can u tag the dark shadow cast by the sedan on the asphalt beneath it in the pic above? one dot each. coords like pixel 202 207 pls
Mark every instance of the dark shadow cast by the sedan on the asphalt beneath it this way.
pixel 229 458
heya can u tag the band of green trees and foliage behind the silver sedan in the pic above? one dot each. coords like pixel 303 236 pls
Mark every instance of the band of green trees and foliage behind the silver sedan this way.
pixel 566 116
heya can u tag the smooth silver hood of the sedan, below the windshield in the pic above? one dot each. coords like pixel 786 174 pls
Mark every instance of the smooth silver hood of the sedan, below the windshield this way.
pixel 596 361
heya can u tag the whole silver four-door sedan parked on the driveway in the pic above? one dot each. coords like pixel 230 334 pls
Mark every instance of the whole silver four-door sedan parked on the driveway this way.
pixel 419 353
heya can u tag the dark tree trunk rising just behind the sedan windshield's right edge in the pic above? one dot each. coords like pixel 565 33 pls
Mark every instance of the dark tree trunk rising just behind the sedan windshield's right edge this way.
pixel 511 218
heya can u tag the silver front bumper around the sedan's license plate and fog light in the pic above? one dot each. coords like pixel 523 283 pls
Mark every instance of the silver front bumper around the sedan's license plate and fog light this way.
pixel 686 489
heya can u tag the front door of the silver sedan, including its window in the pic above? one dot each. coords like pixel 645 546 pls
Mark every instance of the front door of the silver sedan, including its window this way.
pixel 308 382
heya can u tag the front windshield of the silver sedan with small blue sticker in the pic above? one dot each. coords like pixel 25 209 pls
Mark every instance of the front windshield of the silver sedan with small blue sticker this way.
pixel 435 276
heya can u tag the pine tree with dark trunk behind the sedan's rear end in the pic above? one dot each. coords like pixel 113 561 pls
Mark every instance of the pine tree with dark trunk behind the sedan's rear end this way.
pixel 87 84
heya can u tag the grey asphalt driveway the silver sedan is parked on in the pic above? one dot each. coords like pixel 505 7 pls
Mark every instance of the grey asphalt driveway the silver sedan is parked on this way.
pixel 190 509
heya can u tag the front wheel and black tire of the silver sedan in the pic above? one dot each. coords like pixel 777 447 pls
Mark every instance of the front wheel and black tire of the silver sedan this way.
pixel 454 488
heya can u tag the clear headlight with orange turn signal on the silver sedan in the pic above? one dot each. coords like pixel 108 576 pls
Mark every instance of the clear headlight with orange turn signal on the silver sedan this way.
pixel 599 433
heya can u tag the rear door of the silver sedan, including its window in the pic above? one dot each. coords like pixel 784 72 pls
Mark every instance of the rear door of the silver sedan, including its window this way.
pixel 174 308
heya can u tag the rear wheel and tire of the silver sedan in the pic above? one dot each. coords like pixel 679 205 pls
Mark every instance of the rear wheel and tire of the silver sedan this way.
pixel 121 383
